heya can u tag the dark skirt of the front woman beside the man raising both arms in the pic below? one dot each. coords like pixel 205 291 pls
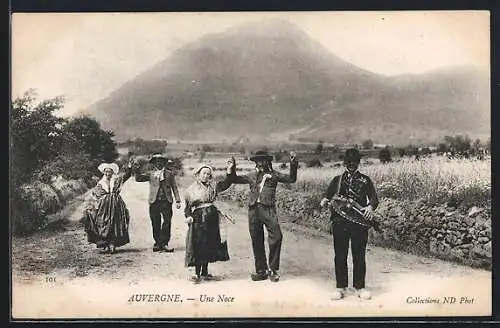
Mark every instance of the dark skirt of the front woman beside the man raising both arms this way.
pixel 203 241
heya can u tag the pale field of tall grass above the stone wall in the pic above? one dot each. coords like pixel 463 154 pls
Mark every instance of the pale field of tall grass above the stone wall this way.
pixel 436 179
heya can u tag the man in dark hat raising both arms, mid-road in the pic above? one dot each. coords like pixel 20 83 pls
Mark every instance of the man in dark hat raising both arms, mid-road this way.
pixel 262 212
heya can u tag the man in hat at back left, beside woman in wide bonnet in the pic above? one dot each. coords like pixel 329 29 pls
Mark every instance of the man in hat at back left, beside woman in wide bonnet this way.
pixel 161 187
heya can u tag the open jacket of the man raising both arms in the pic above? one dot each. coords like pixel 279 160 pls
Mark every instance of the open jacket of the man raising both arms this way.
pixel 265 194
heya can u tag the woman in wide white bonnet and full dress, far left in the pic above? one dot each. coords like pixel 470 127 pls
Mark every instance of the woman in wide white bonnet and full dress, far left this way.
pixel 107 220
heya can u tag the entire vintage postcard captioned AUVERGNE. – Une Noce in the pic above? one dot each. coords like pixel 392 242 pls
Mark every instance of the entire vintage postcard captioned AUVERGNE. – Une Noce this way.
pixel 250 165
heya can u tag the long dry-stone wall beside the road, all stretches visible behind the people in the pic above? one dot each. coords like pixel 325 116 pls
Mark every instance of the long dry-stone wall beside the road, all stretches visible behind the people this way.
pixel 439 231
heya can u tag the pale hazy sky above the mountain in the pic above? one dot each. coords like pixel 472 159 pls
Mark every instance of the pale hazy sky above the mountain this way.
pixel 86 56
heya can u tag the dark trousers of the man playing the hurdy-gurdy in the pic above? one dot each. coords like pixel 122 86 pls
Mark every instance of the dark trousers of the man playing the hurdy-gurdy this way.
pixel 343 232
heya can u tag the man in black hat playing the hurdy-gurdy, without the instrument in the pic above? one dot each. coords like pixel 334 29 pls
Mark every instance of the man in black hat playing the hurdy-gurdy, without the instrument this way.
pixel 359 187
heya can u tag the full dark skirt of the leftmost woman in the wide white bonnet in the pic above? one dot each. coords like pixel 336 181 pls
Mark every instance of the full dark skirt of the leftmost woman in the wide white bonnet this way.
pixel 109 223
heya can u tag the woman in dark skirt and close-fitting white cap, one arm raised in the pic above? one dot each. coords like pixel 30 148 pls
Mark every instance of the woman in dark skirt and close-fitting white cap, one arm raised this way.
pixel 203 241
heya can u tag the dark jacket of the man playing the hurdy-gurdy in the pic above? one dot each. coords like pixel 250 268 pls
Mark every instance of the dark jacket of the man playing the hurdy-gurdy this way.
pixel 356 186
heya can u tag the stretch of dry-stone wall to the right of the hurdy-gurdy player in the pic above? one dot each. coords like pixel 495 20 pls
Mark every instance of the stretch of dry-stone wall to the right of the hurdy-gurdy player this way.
pixel 444 232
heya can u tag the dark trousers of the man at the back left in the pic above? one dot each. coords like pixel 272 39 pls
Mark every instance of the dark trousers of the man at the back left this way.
pixel 161 230
